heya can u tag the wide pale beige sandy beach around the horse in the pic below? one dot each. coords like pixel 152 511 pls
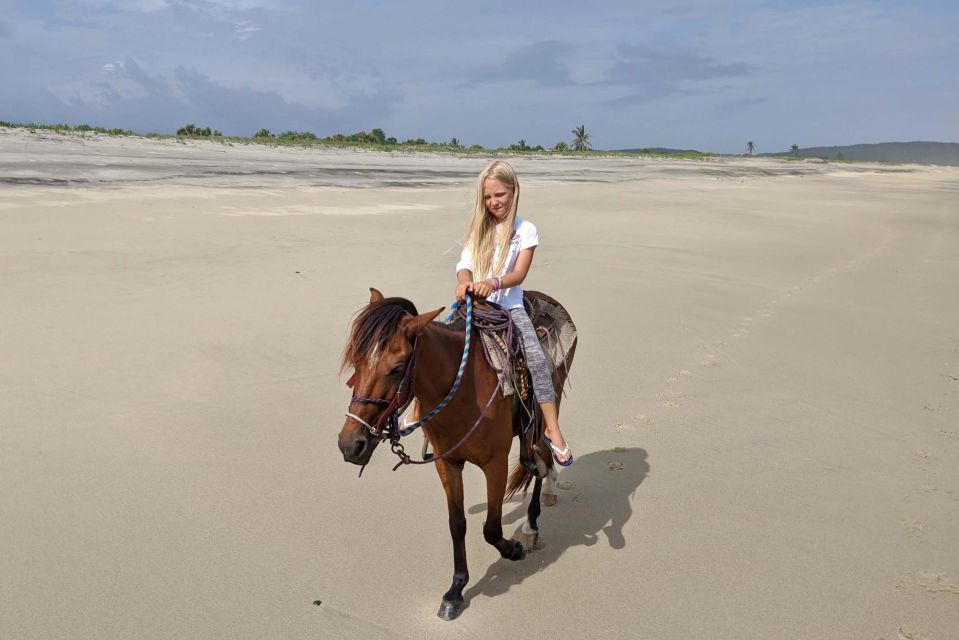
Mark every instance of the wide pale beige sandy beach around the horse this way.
pixel 763 406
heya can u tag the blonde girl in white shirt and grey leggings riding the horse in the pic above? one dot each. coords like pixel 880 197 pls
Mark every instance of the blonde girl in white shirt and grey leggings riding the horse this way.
pixel 499 247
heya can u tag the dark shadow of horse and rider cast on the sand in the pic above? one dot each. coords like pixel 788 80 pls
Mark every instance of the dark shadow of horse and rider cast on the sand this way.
pixel 595 509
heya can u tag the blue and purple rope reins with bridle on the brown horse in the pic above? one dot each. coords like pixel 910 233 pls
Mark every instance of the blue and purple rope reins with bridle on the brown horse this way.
pixel 389 418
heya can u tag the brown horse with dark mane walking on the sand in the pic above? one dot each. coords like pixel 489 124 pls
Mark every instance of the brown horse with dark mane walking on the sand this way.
pixel 384 338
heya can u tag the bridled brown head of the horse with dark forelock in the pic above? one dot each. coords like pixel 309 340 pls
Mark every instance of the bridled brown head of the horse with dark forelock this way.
pixel 380 352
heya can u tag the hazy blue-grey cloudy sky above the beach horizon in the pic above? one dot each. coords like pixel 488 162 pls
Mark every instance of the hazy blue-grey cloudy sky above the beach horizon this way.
pixel 696 74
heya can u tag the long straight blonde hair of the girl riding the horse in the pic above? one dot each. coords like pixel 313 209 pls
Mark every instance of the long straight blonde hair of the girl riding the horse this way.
pixel 481 236
